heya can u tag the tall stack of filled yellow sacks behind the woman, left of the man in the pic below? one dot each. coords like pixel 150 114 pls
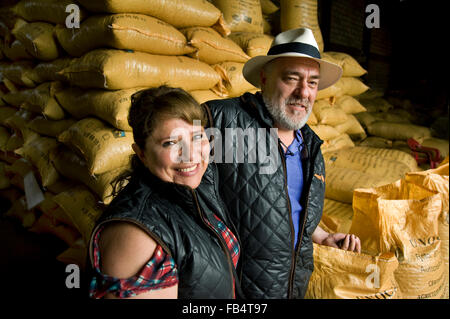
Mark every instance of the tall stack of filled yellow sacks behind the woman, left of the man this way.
pixel 65 96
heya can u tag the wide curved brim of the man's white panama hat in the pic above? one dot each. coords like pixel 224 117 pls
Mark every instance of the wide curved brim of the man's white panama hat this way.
pixel 330 73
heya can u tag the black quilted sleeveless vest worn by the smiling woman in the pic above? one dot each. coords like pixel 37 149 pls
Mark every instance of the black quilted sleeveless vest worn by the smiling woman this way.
pixel 172 215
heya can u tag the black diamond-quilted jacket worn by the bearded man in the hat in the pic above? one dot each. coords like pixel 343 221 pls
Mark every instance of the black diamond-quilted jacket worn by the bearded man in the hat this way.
pixel 259 205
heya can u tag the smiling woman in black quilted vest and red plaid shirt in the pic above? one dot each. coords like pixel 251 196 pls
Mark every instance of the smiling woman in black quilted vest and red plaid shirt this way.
pixel 164 234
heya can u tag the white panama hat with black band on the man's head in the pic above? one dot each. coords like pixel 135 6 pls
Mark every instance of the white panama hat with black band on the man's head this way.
pixel 293 43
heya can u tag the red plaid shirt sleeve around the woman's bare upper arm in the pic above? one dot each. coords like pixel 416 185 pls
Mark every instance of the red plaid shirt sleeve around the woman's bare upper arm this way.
pixel 159 272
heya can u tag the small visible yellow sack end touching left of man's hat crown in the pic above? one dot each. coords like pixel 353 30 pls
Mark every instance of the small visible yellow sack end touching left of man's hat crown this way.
pixel 253 44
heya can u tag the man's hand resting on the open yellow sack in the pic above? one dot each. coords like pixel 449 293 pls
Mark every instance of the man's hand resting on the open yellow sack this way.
pixel 337 240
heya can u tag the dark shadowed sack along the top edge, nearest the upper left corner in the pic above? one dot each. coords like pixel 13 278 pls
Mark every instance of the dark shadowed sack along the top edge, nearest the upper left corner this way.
pixel 53 11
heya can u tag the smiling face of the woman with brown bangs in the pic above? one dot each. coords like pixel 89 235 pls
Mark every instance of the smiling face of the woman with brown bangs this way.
pixel 176 152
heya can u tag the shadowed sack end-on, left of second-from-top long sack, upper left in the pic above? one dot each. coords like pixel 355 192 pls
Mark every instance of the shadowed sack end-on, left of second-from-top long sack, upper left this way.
pixel 38 38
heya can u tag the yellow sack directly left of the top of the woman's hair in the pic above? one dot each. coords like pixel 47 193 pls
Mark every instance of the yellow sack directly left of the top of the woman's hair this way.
pixel 111 106
